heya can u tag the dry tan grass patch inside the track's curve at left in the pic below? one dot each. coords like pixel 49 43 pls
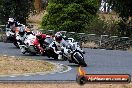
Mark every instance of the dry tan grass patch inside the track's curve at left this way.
pixel 14 65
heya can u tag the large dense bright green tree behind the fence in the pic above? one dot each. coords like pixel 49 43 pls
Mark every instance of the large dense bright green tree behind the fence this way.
pixel 69 15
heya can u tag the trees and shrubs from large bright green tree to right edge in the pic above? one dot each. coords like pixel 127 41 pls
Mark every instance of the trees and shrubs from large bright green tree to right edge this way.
pixel 81 16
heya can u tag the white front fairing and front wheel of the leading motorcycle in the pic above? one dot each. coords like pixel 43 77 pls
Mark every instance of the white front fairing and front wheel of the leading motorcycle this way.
pixel 74 53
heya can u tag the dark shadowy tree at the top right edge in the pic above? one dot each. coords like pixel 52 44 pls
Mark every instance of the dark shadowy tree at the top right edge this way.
pixel 124 9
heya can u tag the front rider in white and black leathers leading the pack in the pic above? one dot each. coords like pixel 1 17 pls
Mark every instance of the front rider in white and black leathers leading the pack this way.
pixel 58 45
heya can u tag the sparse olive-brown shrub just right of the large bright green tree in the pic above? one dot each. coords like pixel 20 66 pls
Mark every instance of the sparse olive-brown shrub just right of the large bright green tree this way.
pixel 102 26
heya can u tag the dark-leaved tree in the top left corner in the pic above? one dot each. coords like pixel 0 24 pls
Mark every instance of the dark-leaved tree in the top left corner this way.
pixel 19 9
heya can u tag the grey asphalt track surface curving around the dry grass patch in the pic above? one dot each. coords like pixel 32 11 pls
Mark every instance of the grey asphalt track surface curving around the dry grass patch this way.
pixel 99 62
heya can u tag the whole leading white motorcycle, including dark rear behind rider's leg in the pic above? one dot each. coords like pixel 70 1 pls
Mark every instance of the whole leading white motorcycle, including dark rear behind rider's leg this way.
pixel 71 52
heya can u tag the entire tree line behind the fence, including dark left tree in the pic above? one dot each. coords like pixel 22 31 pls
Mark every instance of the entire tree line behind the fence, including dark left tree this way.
pixel 73 15
